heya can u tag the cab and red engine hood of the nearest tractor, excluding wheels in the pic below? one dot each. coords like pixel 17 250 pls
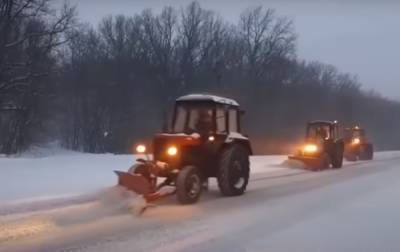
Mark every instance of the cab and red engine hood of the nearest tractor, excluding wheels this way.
pixel 201 126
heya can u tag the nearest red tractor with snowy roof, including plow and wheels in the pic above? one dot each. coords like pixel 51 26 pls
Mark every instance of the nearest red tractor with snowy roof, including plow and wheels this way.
pixel 204 141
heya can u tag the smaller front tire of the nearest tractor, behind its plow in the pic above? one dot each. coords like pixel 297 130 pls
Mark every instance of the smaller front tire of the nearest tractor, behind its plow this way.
pixel 188 185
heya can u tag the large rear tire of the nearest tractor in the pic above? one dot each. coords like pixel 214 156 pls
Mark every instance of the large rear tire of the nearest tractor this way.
pixel 234 170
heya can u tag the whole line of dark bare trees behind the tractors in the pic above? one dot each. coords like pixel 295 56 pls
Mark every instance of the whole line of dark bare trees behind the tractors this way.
pixel 102 88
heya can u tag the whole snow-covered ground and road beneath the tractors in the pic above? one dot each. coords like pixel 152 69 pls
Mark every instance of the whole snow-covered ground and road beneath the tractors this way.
pixel 352 209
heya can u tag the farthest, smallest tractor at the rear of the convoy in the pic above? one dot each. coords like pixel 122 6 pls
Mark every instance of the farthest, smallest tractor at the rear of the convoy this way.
pixel 357 146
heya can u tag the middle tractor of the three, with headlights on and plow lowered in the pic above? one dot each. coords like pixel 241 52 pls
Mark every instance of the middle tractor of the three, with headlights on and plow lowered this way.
pixel 323 146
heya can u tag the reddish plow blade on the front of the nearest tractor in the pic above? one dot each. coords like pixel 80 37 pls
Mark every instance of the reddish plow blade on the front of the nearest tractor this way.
pixel 134 182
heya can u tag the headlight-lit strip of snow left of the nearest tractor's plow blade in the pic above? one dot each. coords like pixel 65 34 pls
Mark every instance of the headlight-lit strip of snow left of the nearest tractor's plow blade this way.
pixel 112 202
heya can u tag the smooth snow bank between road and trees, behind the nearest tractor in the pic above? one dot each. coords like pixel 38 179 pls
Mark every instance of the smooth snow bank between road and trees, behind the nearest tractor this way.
pixel 68 174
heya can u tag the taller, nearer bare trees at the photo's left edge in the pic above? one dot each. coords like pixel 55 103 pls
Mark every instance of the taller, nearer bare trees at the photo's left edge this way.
pixel 29 34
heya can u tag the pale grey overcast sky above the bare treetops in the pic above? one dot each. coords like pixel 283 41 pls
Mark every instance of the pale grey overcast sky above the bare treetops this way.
pixel 357 36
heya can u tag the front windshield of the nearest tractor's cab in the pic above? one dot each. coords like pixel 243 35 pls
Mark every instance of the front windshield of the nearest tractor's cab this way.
pixel 194 117
